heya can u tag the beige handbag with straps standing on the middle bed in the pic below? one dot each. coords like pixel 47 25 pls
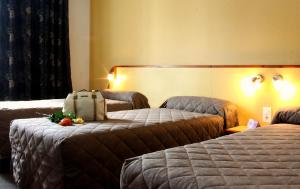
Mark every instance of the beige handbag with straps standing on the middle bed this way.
pixel 90 106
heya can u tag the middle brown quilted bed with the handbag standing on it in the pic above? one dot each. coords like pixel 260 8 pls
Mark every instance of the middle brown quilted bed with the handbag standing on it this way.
pixel 46 155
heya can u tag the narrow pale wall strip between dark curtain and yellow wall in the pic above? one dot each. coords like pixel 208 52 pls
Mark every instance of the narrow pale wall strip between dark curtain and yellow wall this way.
pixel 79 19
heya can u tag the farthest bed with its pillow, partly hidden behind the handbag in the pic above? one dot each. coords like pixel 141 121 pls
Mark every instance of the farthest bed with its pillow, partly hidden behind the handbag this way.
pixel 10 110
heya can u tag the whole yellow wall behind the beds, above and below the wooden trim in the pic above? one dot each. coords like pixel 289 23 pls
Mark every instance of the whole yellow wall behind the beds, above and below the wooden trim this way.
pixel 196 32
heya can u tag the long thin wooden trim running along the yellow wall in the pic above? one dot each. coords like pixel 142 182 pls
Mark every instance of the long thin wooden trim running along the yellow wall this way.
pixel 114 68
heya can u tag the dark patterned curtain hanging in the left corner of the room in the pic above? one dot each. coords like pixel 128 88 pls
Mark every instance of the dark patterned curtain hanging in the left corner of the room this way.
pixel 34 49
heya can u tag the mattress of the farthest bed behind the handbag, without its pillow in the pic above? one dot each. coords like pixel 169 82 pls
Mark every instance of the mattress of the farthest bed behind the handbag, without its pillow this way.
pixel 10 110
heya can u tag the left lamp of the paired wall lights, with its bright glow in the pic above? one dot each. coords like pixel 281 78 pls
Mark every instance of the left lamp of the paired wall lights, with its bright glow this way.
pixel 251 84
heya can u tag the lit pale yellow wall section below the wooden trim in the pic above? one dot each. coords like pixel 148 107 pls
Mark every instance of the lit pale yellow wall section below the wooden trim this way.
pixel 158 84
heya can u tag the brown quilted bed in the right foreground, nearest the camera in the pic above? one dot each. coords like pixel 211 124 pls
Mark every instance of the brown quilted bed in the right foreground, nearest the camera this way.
pixel 262 158
